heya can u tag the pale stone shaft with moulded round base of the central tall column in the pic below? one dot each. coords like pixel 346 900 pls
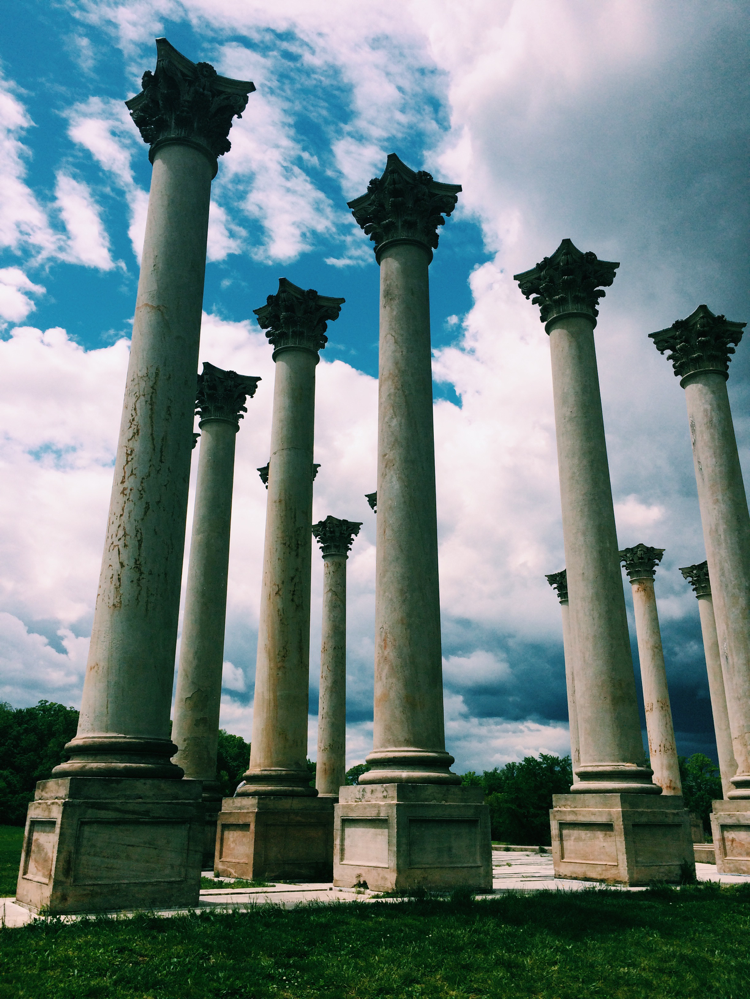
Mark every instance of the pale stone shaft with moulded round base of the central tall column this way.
pixel 409 739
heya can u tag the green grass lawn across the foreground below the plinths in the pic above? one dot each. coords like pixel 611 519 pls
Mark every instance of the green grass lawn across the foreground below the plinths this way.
pixel 688 943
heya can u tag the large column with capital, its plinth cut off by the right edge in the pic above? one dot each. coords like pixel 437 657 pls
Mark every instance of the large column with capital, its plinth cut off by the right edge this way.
pixel 700 348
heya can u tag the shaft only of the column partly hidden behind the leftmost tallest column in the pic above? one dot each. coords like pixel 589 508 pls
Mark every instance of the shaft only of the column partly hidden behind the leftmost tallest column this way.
pixel 198 696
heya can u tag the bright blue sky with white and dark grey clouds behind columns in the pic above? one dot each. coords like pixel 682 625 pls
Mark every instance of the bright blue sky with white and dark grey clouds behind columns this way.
pixel 618 123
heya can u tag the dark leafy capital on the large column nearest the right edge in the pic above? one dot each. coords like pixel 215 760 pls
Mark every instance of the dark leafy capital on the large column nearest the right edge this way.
pixel 702 342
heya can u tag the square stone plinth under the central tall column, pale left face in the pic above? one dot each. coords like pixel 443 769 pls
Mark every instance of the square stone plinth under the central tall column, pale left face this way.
pixel 404 836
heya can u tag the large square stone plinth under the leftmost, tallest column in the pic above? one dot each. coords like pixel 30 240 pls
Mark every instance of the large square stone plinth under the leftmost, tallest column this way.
pixel 97 844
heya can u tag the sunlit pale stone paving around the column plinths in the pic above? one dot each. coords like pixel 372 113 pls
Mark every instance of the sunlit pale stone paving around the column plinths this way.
pixel 512 871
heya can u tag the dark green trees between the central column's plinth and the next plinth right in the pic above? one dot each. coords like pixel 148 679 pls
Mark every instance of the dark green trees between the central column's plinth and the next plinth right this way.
pixel 520 797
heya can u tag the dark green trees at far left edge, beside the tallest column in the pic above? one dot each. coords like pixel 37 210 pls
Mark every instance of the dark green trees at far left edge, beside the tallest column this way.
pixel 31 744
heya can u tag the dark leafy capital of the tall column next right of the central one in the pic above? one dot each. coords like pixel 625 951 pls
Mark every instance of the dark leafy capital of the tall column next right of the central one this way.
pixel 567 283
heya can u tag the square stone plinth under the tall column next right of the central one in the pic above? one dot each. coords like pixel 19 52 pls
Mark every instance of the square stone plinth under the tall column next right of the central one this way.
pixel 629 839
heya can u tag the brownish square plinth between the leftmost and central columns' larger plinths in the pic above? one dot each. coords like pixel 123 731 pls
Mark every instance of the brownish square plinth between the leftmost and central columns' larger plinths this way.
pixel 274 838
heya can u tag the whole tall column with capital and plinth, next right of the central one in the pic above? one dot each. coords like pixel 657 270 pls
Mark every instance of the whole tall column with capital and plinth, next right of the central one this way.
pixel 606 828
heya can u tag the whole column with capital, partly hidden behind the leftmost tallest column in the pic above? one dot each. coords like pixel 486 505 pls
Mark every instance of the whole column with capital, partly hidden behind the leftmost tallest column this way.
pixel 220 404
